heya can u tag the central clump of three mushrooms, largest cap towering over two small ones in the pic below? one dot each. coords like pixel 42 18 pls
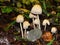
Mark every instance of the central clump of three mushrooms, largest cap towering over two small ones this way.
pixel 37 10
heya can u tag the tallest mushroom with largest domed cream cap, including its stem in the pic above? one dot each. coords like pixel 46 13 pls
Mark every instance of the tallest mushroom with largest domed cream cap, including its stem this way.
pixel 36 9
